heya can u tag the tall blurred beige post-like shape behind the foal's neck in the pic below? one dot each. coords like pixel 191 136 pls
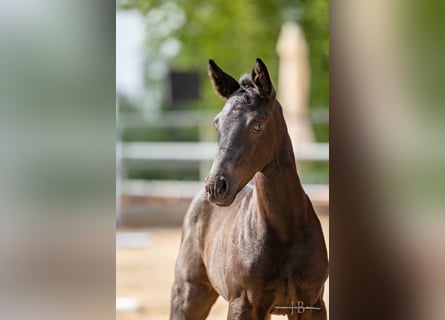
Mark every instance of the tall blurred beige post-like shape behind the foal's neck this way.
pixel 293 82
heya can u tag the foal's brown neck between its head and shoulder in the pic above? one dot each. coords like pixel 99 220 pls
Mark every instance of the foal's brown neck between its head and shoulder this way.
pixel 281 198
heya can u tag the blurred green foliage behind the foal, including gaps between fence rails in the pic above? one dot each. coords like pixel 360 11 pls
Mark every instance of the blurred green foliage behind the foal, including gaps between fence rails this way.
pixel 234 34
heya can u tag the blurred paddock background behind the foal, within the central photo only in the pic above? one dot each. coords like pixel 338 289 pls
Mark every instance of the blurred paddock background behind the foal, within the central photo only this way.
pixel 165 108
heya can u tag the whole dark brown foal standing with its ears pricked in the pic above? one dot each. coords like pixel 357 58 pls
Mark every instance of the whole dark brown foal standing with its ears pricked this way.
pixel 252 236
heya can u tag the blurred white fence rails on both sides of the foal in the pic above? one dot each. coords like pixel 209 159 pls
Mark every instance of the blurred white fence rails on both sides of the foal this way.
pixel 192 155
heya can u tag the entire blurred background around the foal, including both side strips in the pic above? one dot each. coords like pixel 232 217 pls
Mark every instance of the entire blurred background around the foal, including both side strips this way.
pixel 58 110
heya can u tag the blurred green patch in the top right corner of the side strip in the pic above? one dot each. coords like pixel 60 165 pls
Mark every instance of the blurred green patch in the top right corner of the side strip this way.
pixel 420 38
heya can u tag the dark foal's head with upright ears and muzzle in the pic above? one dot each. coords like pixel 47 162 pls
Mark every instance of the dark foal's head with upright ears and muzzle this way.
pixel 246 129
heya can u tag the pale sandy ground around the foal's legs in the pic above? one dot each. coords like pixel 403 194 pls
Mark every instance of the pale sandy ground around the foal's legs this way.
pixel 146 274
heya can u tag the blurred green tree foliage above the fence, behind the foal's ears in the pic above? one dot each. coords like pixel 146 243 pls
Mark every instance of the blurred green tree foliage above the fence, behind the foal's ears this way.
pixel 234 33
